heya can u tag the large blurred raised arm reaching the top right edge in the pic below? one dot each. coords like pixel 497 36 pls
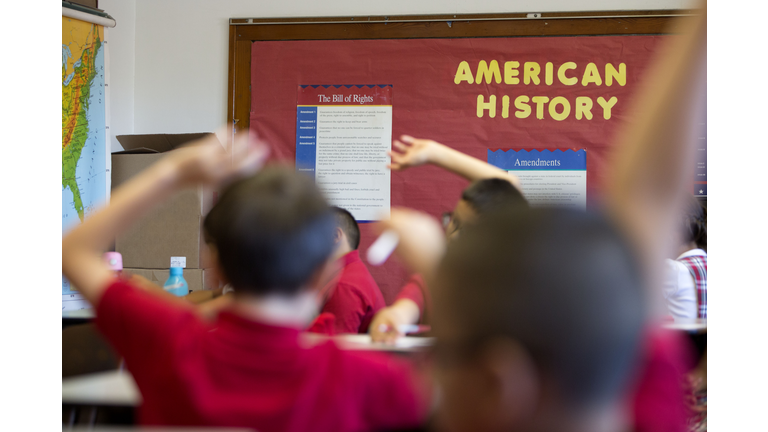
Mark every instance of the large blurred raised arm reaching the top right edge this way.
pixel 654 163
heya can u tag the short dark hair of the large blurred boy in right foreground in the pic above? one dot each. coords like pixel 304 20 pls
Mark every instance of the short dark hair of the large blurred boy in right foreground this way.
pixel 569 291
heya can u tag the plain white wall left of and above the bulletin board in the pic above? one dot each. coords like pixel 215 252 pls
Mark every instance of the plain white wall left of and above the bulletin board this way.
pixel 168 58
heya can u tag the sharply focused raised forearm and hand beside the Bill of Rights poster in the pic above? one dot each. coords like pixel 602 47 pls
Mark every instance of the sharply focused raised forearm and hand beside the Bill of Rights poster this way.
pixel 412 152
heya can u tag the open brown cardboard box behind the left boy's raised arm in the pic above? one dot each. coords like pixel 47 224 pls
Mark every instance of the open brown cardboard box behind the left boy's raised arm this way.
pixel 174 229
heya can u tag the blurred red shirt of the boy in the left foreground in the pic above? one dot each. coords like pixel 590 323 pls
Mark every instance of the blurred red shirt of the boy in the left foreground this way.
pixel 241 373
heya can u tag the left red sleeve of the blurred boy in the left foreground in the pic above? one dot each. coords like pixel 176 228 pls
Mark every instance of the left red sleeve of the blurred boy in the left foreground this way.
pixel 143 327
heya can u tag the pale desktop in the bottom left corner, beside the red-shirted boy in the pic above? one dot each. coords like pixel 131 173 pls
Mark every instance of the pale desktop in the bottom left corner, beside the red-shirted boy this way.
pixel 113 388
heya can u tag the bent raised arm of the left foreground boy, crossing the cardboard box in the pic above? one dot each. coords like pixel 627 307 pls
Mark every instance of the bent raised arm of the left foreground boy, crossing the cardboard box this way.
pixel 204 162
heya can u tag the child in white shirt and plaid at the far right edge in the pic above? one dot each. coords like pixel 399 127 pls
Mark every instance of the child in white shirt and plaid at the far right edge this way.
pixel 685 286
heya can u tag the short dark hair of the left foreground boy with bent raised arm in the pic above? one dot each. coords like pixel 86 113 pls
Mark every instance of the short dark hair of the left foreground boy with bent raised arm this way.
pixel 272 231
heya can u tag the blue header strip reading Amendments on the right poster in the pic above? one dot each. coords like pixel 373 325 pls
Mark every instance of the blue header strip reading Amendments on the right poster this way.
pixel 535 160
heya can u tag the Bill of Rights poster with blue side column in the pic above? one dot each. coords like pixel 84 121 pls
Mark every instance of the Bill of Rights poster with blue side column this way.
pixel 343 134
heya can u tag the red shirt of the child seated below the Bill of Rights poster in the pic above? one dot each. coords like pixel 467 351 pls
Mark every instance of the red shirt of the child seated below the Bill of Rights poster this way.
pixel 356 298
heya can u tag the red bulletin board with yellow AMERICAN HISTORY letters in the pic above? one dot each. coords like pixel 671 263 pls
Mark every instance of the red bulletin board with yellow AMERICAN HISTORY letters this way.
pixel 429 103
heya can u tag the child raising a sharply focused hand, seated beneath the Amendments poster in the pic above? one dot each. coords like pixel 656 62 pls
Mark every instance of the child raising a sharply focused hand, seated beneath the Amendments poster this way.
pixel 491 187
